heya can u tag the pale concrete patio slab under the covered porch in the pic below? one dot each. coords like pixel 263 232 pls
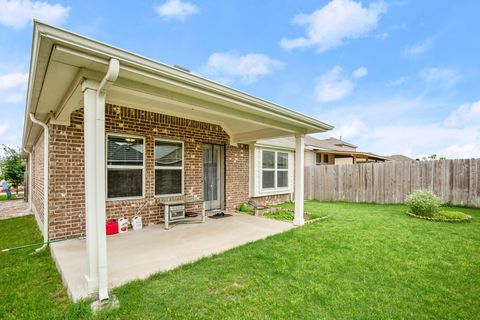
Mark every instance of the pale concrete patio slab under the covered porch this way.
pixel 138 254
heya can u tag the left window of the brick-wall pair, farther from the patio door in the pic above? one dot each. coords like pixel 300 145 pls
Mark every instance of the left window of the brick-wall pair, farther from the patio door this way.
pixel 125 166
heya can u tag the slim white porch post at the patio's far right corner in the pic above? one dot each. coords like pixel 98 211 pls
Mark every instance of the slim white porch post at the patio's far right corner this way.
pixel 299 179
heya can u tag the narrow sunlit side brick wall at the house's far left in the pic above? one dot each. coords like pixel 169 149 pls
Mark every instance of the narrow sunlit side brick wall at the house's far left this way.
pixel 37 178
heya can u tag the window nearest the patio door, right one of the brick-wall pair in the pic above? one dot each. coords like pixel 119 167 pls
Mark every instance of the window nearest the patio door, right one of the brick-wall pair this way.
pixel 168 167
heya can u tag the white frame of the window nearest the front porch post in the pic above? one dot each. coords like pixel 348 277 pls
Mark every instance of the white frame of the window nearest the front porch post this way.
pixel 125 167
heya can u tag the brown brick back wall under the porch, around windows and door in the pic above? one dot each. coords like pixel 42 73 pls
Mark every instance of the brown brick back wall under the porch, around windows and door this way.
pixel 67 196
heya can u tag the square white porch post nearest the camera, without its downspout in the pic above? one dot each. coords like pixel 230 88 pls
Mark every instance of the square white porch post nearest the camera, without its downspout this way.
pixel 89 89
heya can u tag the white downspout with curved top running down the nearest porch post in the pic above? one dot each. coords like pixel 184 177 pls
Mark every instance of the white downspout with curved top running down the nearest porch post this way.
pixel 110 77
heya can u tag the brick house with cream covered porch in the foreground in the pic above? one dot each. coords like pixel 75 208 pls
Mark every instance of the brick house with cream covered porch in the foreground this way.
pixel 108 133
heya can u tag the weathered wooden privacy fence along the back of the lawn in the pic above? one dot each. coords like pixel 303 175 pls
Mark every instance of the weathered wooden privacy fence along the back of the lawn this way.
pixel 454 181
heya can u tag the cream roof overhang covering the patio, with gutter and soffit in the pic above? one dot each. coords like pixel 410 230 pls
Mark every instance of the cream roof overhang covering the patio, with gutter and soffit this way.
pixel 62 60
